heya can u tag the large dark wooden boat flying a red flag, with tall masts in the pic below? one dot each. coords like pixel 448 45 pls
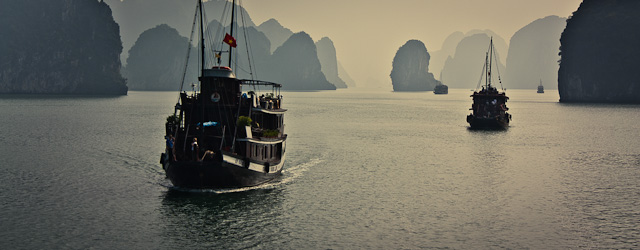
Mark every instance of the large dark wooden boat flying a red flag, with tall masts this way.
pixel 220 136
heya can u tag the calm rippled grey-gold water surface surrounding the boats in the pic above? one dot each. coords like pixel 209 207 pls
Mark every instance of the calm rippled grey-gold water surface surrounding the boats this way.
pixel 366 170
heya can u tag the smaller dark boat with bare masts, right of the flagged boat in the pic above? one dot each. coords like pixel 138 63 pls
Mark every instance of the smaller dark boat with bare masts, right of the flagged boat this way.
pixel 489 105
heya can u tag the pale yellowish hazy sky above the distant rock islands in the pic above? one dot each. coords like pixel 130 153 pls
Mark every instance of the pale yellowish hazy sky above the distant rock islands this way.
pixel 367 33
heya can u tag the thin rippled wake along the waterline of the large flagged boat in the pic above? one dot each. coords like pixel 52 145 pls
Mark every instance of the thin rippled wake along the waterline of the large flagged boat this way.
pixel 289 174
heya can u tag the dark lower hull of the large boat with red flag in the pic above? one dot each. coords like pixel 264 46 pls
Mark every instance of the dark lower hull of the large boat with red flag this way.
pixel 216 175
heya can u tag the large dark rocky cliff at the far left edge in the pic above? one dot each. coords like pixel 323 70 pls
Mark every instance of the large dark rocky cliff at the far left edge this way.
pixel 59 47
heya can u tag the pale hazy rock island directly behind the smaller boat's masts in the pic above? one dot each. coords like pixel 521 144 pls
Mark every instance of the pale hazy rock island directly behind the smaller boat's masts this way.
pixel 464 69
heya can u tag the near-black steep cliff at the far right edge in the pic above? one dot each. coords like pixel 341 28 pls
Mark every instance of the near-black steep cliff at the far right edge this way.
pixel 599 53
